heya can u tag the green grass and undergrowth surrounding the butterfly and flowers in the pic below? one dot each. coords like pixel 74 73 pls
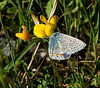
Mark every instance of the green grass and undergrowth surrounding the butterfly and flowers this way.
pixel 81 20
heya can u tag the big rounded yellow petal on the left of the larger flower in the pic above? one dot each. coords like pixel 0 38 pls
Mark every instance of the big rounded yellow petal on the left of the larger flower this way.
pixel 39 30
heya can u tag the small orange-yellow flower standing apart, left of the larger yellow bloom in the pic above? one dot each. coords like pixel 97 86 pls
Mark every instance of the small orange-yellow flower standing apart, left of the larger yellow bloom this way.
pixel 24 35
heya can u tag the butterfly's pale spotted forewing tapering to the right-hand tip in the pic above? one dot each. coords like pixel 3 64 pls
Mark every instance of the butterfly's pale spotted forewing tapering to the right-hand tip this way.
pixel 71 45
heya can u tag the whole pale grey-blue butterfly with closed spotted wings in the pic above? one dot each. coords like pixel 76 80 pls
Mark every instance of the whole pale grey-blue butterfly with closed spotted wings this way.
pixel 61 46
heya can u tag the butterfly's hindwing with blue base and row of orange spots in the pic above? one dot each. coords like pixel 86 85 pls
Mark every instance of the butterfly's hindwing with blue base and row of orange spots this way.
pixel 55 47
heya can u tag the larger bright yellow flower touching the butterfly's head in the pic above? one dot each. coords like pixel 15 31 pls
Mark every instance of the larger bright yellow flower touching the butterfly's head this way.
pixel 47 29
